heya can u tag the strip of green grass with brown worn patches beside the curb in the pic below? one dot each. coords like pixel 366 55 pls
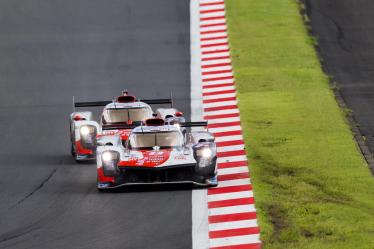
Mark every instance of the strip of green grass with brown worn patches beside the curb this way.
pixel 312 186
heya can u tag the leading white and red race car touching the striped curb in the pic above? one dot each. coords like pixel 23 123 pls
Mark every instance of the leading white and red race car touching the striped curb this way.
pixel 158 153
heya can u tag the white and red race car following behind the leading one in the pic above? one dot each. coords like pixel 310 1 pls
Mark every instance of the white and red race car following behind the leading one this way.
pixel 118 117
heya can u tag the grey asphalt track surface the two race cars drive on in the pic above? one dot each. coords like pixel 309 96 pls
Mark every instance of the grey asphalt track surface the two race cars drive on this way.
pixel 93 49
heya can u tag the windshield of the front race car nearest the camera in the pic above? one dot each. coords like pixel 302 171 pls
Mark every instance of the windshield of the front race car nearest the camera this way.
pixel 162 139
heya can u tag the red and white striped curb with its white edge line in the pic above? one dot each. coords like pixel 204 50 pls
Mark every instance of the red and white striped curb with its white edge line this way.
pixel 231 214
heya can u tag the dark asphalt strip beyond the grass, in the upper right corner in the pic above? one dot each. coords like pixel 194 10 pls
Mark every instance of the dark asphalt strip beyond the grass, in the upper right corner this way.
pixel 345 31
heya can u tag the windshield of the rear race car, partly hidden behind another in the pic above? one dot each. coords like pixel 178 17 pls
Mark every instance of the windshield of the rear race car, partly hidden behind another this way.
pixel 124 115
